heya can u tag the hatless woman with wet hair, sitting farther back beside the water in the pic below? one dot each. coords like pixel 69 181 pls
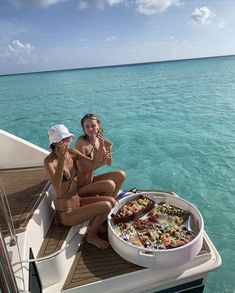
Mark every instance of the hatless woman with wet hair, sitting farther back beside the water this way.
pixel 88 144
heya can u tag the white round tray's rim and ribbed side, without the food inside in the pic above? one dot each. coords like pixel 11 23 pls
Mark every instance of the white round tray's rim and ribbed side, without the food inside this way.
pixel 156 258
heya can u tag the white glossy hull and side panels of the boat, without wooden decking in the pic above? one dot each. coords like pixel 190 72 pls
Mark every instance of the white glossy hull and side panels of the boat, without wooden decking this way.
pixel 50 274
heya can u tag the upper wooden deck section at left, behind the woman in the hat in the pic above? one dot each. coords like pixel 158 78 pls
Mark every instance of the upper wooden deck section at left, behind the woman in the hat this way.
pixel 24 188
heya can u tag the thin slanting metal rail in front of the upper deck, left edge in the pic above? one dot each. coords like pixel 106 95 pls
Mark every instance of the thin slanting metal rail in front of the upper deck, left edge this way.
pixel 7 214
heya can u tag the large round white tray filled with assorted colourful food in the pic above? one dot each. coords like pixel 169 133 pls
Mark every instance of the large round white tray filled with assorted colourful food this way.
pixel 155 229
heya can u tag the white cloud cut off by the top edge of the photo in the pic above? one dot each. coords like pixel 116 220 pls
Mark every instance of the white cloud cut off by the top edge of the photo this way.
pixel 149 7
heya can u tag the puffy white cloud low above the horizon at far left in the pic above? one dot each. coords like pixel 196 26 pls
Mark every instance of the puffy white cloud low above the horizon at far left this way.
pixel 18 53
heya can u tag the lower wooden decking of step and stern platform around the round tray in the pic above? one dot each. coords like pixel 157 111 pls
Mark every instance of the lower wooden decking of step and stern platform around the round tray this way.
pixel 91 264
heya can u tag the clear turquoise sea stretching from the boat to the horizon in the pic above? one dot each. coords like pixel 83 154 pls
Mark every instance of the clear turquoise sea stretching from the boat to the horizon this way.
pixel 172 125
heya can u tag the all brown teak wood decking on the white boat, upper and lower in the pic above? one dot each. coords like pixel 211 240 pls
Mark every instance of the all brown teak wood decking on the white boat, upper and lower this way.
pixel 25 188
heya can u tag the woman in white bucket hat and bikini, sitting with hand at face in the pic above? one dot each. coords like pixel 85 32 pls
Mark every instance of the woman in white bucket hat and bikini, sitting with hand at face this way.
pixel 63 165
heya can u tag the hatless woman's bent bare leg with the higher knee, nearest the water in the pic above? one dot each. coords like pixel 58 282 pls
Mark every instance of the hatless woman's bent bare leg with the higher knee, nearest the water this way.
pixel 116 176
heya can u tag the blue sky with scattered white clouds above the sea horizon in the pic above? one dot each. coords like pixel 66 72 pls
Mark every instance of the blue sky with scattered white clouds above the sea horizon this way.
pixel 38 35
